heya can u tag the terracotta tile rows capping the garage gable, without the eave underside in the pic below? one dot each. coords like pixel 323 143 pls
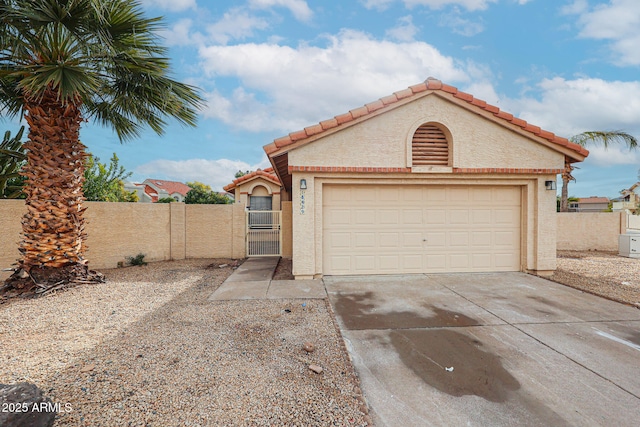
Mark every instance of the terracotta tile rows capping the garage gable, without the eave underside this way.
pixel 430 85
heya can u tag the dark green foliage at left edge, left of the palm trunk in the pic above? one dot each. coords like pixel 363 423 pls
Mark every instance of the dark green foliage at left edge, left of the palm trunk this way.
pixel 12 158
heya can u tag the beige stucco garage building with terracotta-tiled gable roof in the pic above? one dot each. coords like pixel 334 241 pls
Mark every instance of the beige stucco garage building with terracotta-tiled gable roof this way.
pixel 426 180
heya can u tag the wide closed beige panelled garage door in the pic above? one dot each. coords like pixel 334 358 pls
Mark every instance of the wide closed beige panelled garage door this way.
pixel 389 229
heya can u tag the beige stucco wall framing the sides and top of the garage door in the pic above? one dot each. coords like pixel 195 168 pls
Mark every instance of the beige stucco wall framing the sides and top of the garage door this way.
pixel 538 227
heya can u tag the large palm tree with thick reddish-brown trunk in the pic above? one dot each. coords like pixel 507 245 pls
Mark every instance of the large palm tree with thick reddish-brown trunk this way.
pixel 63 62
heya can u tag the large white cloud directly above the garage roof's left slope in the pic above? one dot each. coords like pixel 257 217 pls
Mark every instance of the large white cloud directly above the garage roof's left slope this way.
pixel 286 88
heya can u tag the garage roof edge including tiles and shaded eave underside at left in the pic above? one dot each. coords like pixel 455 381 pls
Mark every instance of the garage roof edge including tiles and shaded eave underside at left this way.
pixel 279 147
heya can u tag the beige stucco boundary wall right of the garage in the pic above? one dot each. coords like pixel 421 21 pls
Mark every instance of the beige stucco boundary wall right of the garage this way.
pixel 586 231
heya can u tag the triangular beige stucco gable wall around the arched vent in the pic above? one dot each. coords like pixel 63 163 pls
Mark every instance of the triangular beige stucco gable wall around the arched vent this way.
pixel 384 141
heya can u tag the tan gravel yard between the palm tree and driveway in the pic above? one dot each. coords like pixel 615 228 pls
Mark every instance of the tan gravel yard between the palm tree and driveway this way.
pixel 148 349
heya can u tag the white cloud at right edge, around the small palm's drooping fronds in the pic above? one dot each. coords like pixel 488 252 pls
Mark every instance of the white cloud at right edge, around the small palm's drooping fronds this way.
pixel 569 107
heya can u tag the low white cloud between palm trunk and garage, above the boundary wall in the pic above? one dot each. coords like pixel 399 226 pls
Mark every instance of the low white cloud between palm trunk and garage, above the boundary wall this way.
pixel 216 173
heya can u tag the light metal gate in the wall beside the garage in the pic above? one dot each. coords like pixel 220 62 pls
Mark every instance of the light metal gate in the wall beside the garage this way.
pixel 264 233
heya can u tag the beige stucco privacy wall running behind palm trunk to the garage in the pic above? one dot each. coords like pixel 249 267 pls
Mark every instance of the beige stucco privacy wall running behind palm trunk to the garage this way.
pixel 160 231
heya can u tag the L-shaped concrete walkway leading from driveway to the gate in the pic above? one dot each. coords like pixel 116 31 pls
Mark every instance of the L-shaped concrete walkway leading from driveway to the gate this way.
pixel 252 280
